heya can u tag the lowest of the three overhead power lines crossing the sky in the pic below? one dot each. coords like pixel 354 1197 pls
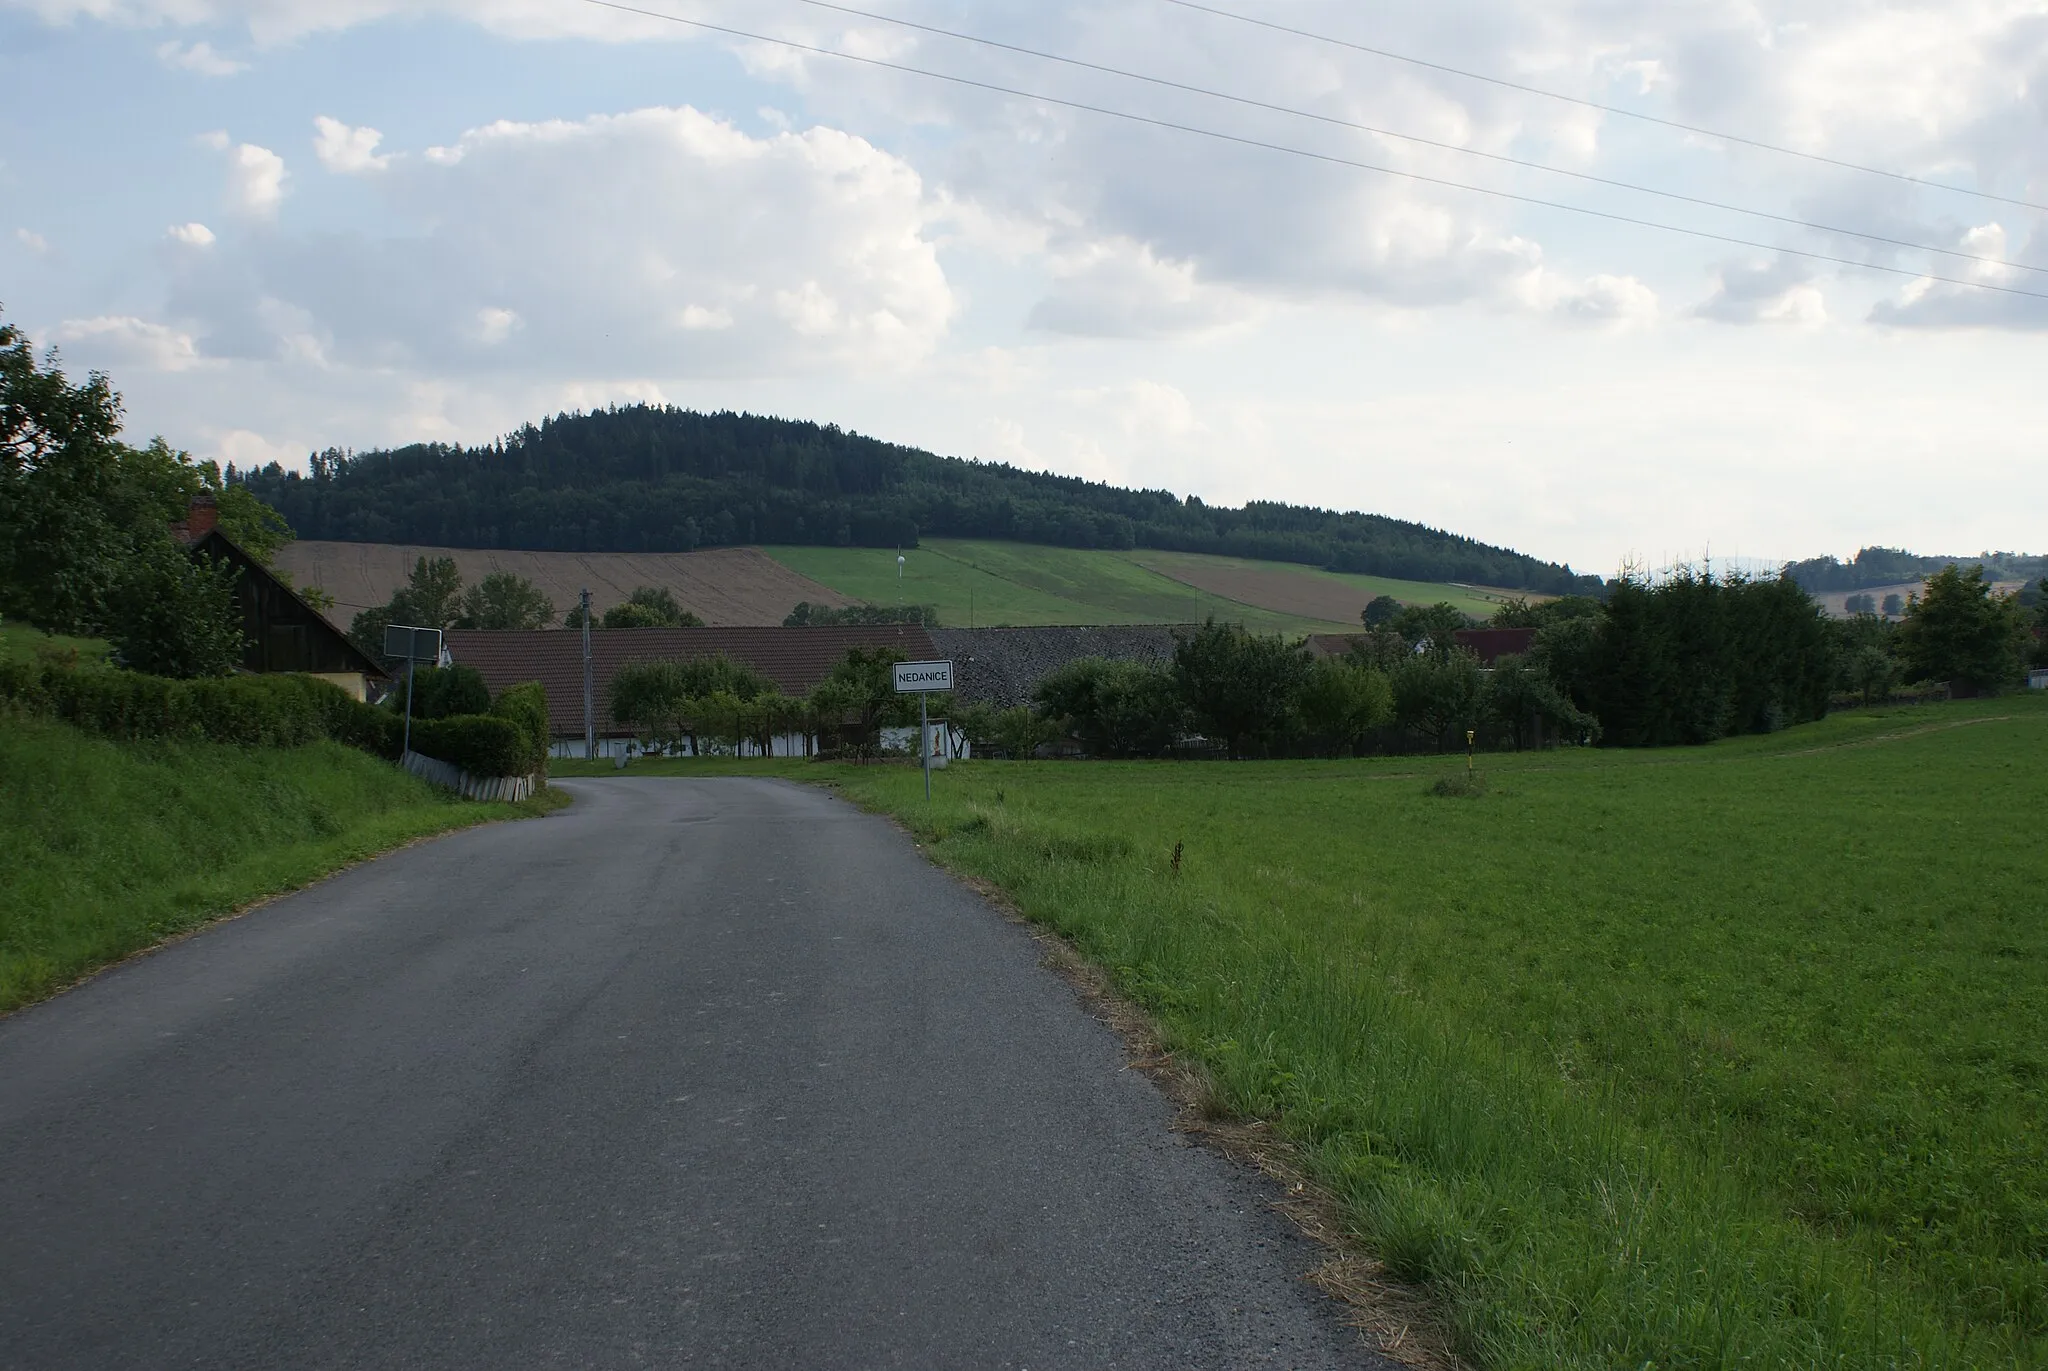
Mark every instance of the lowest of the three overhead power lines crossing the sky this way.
pixel 1302 153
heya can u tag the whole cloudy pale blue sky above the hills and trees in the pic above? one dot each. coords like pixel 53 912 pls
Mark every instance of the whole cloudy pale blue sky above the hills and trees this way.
pixel 286 224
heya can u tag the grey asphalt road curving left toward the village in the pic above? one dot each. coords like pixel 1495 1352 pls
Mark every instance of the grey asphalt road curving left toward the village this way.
pixel 695 1073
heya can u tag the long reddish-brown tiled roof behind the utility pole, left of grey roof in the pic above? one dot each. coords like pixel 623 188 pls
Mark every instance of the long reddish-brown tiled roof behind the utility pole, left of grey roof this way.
pixel 792 659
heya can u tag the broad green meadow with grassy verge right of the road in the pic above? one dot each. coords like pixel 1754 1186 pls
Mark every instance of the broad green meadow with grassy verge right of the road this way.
pixel 1693 1058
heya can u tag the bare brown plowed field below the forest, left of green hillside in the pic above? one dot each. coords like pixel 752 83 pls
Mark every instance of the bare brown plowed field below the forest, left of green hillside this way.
pixel 726 587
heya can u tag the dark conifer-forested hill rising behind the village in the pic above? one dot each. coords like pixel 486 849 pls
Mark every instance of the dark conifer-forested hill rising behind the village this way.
pixel 650 479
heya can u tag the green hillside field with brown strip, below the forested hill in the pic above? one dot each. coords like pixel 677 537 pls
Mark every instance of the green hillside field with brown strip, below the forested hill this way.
pixel 988 583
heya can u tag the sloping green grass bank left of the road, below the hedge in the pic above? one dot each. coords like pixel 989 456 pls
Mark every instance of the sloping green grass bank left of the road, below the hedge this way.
pixel 110 847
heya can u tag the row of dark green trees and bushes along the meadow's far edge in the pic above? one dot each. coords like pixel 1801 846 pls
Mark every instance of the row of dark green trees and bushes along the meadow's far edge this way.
pixel 1684 661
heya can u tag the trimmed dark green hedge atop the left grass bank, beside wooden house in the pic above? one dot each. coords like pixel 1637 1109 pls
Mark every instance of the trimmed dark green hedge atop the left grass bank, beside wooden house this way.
pixel 280 712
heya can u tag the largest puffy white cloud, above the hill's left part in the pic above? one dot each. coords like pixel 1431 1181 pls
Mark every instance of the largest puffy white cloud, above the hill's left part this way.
pixel 658 239
